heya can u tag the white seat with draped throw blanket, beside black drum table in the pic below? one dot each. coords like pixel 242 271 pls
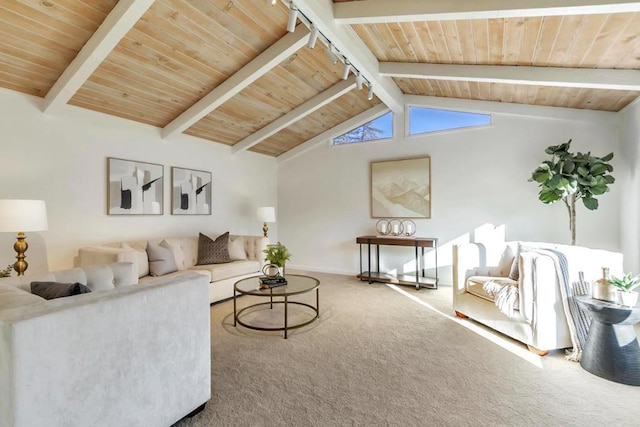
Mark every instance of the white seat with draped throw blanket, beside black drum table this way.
pixel 539 319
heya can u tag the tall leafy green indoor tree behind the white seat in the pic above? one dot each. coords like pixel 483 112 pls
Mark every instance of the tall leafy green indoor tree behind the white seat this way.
pixel 571 176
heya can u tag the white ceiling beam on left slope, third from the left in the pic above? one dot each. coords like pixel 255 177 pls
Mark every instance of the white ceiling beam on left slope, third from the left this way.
pixel 296 114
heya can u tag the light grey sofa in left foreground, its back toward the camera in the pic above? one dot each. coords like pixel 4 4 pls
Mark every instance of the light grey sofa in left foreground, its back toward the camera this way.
pixel 125 354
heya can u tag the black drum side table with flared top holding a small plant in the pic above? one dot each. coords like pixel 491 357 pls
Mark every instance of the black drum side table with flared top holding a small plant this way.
pixel 612 350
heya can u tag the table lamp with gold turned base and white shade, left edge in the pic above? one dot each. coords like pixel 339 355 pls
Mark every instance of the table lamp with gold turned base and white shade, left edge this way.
pixel 20 216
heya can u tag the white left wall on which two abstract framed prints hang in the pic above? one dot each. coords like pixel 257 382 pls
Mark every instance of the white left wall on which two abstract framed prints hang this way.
pixel 62 159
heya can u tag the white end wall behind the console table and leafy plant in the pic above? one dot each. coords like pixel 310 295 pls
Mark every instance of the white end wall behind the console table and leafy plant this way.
pixel 478 177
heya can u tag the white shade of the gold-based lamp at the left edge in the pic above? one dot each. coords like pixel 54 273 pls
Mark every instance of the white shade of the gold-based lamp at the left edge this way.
pixel 23 215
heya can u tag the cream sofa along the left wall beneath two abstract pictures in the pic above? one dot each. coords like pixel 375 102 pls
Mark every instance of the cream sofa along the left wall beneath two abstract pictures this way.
pixel 247 260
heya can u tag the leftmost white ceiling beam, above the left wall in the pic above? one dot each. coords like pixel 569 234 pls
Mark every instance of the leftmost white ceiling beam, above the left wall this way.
pixel 116 25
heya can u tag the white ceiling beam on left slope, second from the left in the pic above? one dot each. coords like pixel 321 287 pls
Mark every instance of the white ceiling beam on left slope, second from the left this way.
pixel 258 67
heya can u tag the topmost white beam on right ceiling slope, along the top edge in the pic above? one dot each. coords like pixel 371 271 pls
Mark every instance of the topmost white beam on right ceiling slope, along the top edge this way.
pixel 381 11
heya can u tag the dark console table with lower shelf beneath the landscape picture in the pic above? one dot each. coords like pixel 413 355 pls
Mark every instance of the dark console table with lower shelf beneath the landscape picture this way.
pixel 419 280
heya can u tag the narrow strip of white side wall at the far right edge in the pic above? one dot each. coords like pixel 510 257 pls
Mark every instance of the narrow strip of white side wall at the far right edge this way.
pixel 629 180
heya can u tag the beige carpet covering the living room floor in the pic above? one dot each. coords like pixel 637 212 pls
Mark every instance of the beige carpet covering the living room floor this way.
pixel 380 356
